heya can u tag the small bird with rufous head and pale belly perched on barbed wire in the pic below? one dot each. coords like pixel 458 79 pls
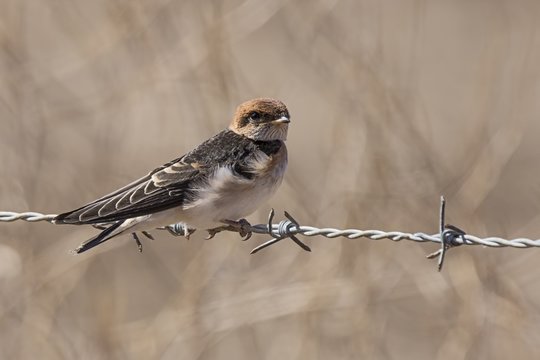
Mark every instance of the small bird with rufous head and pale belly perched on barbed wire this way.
pixel 212 187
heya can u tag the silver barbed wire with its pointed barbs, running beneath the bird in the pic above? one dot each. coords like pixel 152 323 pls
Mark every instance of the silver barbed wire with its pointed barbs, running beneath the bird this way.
pixel 288 229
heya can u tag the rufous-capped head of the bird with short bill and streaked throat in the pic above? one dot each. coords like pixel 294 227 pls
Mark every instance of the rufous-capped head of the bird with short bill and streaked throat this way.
pixel 261 119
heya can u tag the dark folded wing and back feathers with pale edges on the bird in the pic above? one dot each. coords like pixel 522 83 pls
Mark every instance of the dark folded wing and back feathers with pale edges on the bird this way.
pixel 169 185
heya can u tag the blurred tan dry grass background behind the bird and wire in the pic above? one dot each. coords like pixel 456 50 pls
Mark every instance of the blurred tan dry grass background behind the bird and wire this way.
pixel 393 104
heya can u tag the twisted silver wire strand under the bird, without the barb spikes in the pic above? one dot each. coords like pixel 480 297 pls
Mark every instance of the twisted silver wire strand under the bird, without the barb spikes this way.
pixel 287 228
